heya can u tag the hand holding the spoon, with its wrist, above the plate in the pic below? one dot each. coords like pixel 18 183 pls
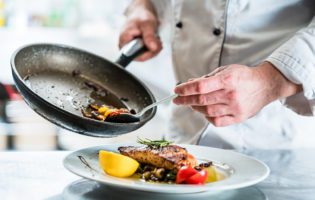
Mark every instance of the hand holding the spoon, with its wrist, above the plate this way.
pixel 234 93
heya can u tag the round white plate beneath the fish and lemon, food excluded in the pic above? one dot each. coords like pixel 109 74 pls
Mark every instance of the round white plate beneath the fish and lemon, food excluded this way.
pixel 240 170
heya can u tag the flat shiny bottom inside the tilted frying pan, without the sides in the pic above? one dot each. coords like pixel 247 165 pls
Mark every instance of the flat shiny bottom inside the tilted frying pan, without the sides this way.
pixel 71 93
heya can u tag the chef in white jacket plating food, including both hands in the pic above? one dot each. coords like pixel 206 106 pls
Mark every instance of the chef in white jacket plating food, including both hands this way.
pixel 246 69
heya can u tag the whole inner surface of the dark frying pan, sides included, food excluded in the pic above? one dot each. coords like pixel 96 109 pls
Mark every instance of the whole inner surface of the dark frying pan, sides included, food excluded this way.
pixel 70 79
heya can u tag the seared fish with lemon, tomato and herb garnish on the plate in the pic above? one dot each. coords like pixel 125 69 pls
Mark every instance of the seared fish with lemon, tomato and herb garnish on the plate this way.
pixel 158 161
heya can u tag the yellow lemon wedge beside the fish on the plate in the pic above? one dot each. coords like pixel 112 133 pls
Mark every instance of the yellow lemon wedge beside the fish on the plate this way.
pixel 116 164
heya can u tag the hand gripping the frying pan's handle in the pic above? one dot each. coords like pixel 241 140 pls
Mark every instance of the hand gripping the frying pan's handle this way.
pixel 141 22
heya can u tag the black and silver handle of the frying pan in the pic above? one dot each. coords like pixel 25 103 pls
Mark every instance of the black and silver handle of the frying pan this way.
pixel 130 51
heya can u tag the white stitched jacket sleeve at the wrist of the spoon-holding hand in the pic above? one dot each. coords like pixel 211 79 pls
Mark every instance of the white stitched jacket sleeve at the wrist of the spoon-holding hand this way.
pixel 295 59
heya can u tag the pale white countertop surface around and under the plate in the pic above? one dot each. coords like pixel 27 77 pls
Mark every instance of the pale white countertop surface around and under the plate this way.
pixel 41 175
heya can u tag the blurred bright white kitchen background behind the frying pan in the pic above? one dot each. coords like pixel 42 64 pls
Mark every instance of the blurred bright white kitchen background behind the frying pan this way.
pixel 93 25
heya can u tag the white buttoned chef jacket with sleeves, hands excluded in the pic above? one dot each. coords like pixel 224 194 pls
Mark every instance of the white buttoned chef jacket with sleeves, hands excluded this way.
pixel 207 34
